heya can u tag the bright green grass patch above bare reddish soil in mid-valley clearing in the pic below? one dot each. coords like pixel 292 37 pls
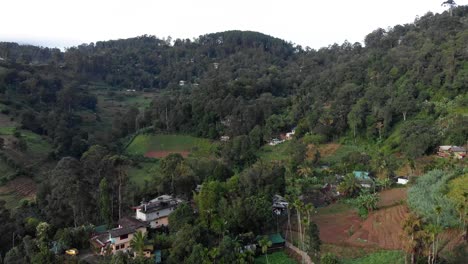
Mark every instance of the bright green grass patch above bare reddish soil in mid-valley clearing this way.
pixel 144 143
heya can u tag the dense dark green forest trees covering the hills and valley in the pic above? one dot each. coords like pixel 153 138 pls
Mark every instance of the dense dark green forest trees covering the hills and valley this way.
pixel 401 94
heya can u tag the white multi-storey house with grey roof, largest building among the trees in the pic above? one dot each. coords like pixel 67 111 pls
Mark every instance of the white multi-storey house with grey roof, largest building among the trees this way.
pixel 156 212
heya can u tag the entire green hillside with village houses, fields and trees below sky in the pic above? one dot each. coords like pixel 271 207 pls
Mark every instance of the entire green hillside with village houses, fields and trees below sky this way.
pixel 238 147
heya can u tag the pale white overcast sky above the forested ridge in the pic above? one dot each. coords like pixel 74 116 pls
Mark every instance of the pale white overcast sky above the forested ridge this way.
pixel 313 23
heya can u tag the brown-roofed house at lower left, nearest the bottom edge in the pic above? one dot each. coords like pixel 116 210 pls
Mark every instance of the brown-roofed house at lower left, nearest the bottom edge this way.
pixel 118 239
